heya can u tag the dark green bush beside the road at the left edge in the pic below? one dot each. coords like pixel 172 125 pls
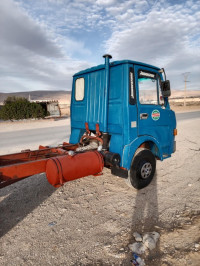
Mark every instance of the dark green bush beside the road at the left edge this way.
pixel 16 108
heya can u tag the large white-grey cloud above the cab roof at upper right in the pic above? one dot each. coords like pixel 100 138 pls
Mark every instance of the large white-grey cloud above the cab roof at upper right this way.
pixel 166 36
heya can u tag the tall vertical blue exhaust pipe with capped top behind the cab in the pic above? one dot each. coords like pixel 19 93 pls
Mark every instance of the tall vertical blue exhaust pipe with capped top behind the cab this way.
pixel 106 92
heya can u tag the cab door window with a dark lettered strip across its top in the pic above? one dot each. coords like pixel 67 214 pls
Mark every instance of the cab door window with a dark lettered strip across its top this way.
pixel 147 84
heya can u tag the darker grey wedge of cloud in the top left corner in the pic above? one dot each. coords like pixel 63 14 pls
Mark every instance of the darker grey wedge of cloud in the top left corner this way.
pixel 20 30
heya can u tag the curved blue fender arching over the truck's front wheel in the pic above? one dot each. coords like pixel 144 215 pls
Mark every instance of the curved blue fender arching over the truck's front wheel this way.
pixel 130 149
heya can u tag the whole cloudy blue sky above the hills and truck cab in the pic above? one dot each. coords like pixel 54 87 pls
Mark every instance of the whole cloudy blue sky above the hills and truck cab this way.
pixel 44 42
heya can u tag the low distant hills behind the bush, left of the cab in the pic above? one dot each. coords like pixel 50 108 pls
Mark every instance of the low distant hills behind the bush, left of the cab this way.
pixel 64 97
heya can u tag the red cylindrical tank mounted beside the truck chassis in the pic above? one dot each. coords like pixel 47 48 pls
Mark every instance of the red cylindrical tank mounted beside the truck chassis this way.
pixel 67 168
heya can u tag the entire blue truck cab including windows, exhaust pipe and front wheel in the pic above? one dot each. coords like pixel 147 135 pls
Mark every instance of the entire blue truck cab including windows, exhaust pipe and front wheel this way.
pixel 126 103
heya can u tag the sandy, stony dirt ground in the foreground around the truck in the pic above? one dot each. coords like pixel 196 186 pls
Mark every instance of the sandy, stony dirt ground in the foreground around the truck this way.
pixel 91 221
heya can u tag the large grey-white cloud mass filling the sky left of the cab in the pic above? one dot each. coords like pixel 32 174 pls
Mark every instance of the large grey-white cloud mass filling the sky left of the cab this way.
pixel 33 58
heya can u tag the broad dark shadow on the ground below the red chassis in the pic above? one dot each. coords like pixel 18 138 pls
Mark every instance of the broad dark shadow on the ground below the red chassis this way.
pixel 20 199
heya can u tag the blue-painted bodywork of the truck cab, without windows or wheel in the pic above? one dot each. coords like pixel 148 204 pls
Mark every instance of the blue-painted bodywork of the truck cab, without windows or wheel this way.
pixel 116 114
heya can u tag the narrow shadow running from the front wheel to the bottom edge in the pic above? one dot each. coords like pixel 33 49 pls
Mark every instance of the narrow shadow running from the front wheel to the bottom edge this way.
pixel 146 219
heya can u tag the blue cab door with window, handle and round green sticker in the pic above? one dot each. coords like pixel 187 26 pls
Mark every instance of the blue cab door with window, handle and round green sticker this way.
pixel 153 117
